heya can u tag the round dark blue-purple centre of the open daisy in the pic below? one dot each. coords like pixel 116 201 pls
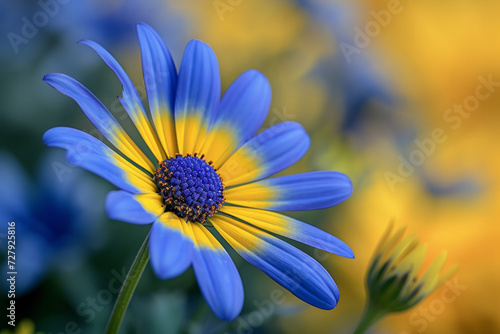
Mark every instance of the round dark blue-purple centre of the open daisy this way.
pixel 190 186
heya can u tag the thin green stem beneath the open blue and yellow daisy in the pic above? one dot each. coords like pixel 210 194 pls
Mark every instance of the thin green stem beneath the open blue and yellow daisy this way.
pixel 128 288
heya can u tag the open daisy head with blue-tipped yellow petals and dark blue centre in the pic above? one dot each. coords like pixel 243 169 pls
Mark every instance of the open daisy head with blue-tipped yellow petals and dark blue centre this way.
pixel 206 171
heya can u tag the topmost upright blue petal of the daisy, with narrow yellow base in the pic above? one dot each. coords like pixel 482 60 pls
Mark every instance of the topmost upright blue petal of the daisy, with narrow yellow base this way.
pixel 160 78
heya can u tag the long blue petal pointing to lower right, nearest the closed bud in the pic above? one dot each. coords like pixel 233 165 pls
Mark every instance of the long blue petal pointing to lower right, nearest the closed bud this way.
pixel 293 269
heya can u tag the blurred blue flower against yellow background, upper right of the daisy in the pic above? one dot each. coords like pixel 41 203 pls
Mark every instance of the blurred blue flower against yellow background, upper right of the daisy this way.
pixel 355 77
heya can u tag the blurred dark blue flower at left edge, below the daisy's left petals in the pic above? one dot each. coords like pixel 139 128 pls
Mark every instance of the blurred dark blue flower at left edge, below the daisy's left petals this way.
pixel 55 226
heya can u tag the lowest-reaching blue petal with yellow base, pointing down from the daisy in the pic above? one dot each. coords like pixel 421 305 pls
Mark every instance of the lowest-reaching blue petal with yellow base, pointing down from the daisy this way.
pixel 217 276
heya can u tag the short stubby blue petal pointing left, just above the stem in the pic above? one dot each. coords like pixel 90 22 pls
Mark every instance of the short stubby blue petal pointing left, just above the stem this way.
pixel 133 208
